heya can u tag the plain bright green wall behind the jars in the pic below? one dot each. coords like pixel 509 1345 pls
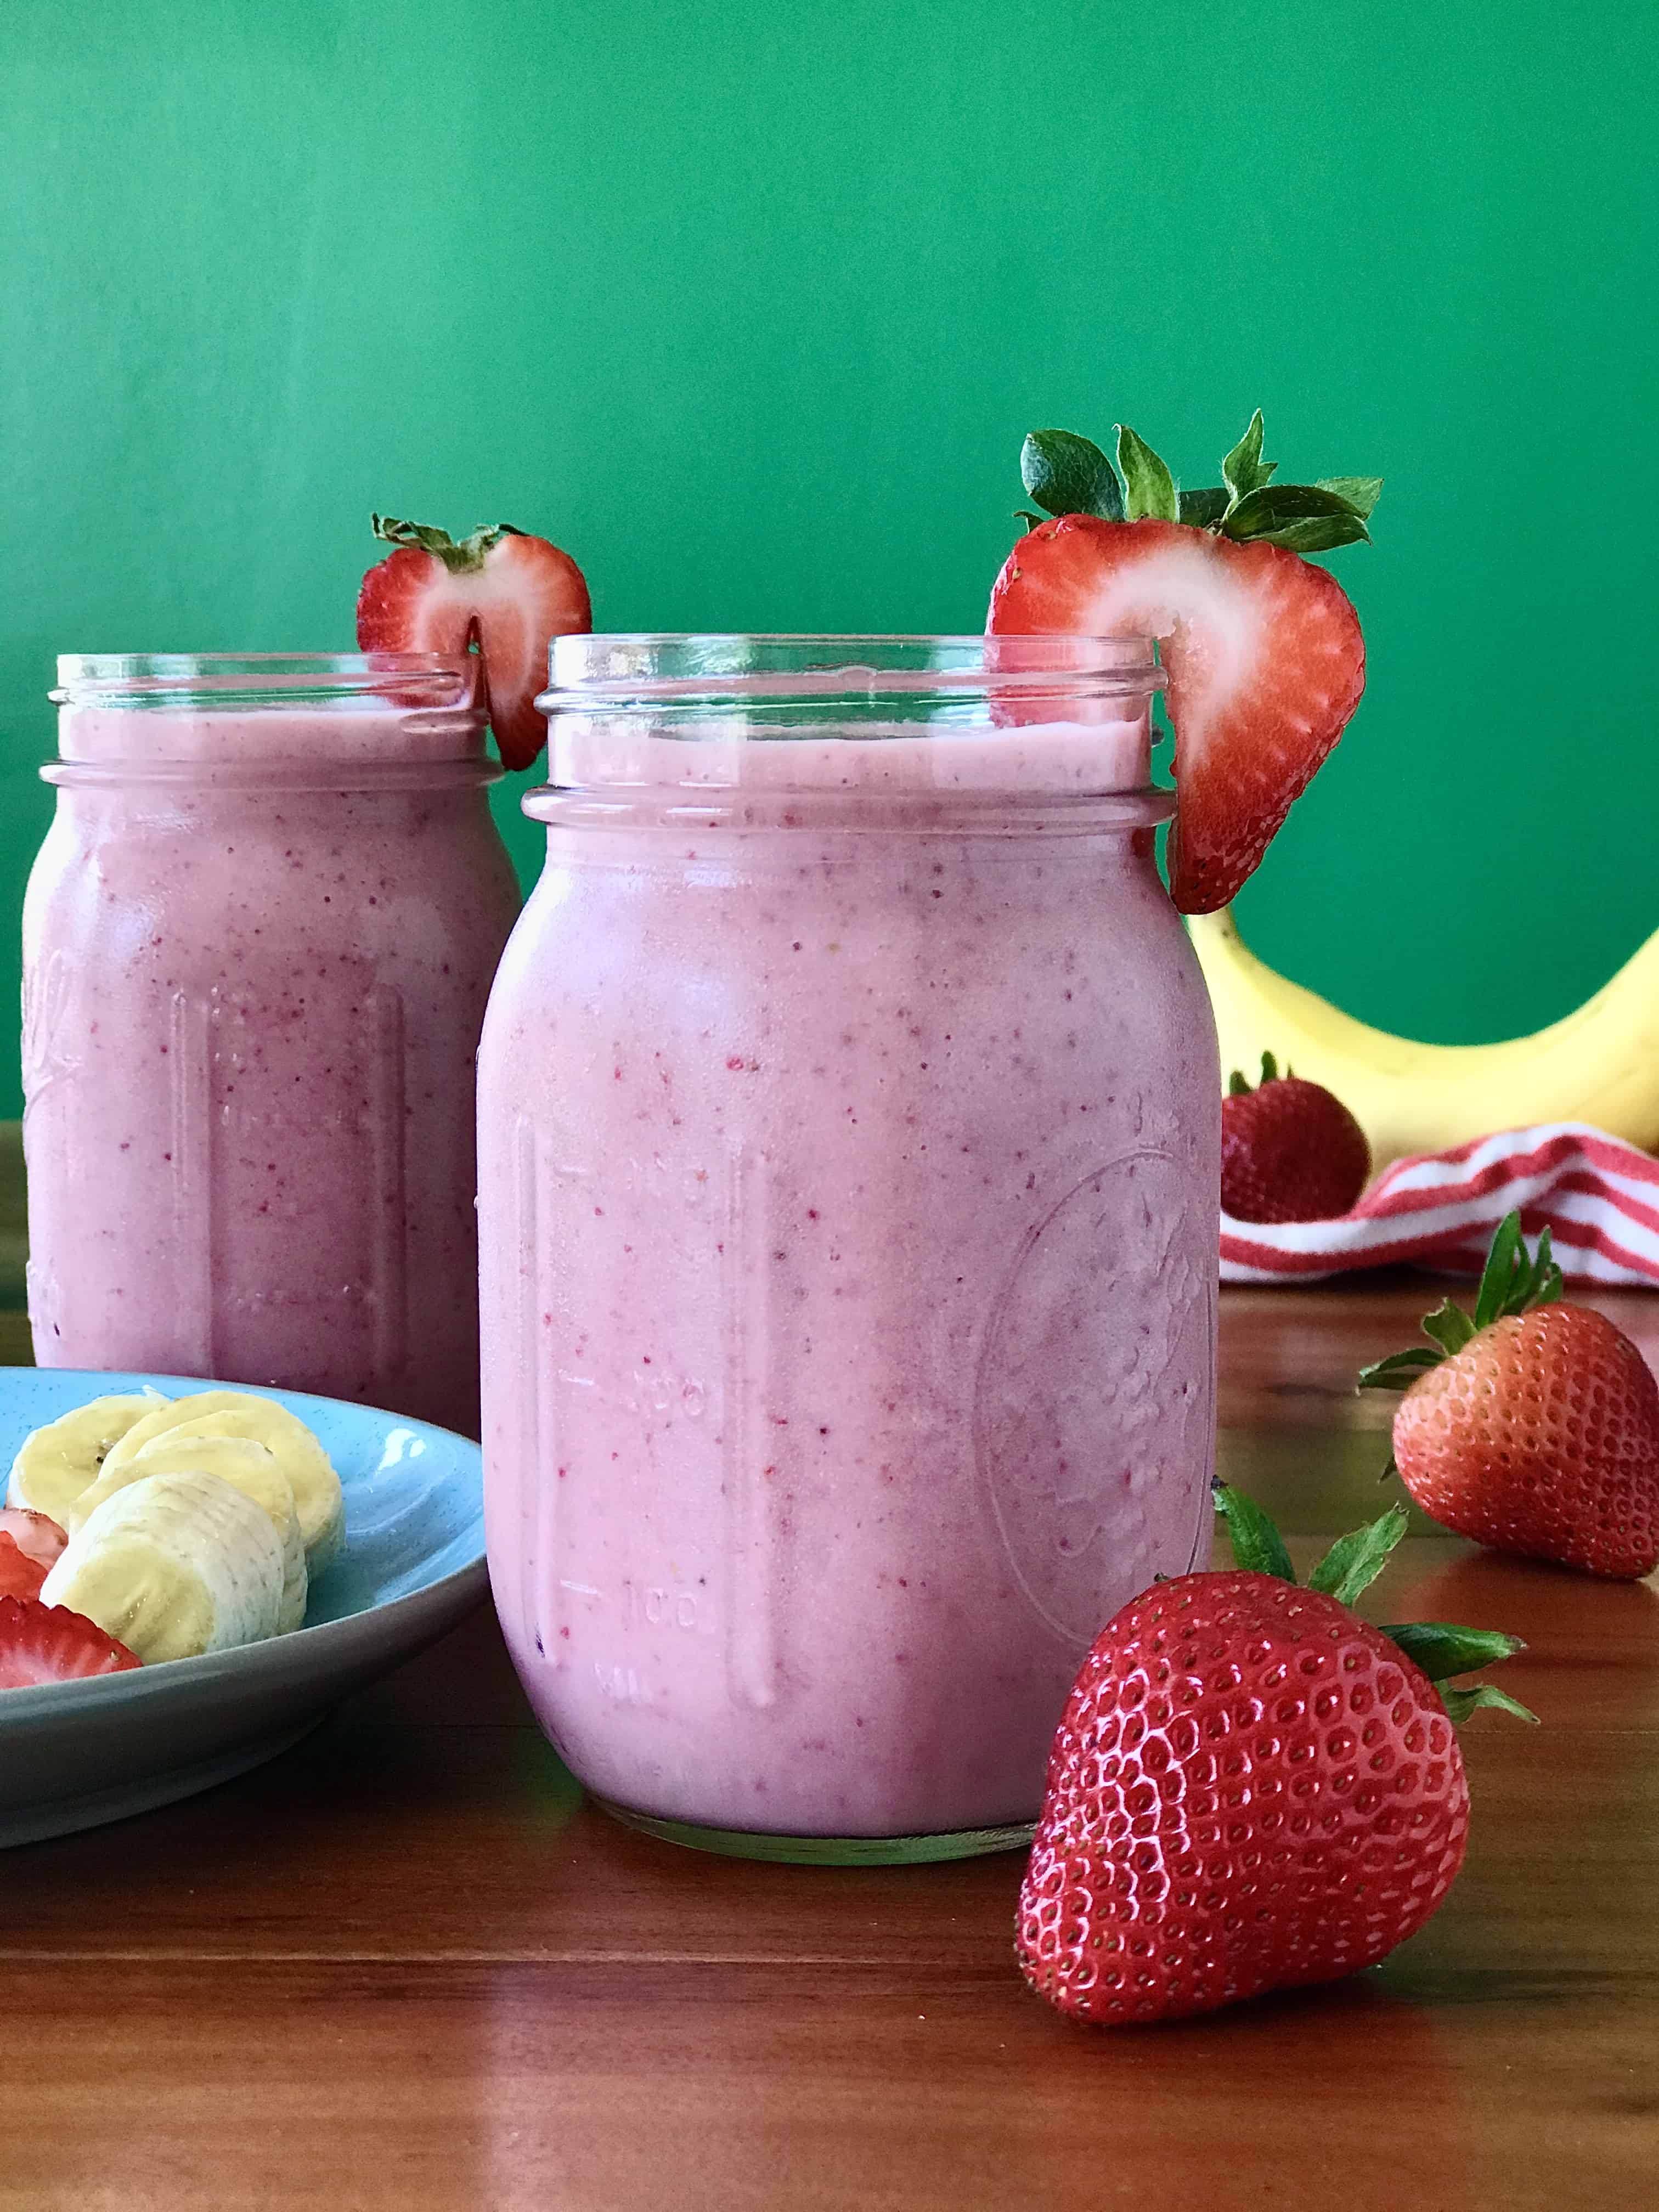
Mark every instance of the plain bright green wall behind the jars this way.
pixel 751 306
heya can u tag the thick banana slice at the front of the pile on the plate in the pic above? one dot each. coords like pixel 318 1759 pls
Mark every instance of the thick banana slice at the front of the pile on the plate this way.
pixel 174 1567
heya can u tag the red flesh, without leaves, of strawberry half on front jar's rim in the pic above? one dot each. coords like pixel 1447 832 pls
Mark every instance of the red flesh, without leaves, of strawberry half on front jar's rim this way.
pixel 1264 662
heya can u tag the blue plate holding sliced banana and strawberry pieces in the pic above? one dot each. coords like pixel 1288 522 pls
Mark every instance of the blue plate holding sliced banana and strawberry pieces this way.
pixel 79 1753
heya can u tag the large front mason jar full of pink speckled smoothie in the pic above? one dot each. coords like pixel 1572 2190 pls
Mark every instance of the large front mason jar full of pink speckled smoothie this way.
pixel 848 1229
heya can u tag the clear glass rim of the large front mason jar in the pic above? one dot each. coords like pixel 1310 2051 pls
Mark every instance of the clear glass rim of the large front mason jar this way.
pixel 698 669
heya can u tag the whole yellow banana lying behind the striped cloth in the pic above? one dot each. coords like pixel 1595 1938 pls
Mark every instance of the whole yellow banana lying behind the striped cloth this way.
pixel 1596 1065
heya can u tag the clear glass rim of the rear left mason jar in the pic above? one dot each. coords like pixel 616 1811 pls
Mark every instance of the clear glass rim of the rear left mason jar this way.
pixel 267 680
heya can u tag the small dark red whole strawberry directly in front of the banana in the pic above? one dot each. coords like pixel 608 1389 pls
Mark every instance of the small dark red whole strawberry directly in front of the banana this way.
pixel 1291 1151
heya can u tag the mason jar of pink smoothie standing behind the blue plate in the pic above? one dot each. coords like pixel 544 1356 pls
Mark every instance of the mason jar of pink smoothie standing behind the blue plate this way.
pixel 258 950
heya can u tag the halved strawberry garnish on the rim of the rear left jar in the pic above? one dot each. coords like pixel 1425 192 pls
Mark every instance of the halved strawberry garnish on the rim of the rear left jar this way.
pixel 499 589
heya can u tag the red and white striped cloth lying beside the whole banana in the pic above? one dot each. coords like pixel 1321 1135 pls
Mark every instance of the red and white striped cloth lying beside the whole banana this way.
pixel 1596 1196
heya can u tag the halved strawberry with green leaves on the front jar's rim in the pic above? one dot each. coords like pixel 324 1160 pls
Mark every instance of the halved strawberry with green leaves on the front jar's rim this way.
pixel 1262 651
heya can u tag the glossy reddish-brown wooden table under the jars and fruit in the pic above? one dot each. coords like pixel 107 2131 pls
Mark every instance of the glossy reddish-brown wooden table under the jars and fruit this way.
pixel 408 1968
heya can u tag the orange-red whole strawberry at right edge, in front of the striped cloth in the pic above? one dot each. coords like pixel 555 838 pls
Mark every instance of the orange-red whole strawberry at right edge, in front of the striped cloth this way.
pixel 1532 1426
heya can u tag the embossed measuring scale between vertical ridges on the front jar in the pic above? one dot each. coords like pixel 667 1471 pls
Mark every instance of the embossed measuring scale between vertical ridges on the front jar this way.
pixel 647 1452
